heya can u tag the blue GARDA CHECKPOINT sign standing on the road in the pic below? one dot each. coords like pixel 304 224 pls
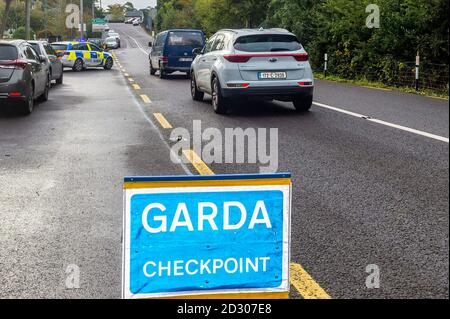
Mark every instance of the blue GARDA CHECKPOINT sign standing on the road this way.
pixel 216 235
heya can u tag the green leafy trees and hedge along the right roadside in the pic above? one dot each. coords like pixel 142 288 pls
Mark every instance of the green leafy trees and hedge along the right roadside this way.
pixel 335 27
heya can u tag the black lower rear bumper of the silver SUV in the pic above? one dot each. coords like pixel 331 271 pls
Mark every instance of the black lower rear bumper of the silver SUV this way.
pixel 273 92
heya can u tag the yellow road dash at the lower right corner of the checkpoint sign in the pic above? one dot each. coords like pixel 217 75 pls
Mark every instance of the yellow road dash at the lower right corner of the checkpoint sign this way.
pixel 305 284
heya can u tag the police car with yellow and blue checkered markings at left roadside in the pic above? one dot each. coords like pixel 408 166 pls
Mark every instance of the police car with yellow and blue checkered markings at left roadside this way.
pixel 81 55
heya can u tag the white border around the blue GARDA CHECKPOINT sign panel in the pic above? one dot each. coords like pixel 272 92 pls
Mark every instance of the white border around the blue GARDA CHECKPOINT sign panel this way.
pixel 129 193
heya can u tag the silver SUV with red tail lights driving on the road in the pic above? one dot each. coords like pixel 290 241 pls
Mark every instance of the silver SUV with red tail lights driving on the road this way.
pixel 265 63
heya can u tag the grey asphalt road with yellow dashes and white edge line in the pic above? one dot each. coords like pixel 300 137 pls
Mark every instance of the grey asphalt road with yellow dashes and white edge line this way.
pixel 370 168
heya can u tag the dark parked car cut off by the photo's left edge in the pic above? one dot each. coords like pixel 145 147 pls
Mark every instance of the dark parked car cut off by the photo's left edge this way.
pixel 24 75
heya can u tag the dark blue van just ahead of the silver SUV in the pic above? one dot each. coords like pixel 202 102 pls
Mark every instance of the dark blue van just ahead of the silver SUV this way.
pixel 172 51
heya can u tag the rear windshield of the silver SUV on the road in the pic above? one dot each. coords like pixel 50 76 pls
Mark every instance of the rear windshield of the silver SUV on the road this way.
pixel 267 43
